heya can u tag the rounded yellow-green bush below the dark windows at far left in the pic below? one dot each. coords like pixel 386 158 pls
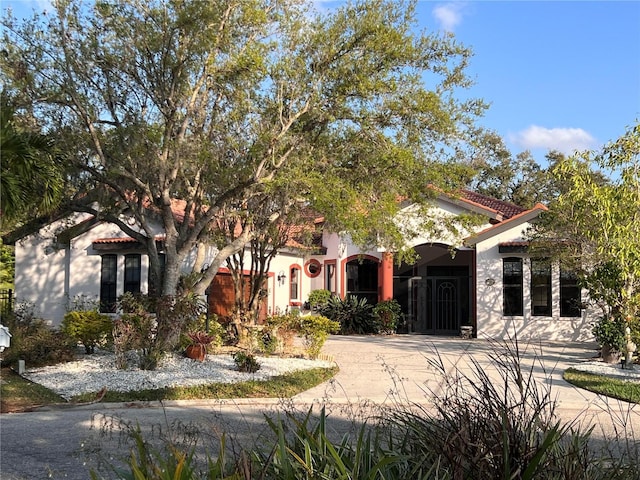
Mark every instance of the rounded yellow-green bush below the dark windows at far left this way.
pixel 88 327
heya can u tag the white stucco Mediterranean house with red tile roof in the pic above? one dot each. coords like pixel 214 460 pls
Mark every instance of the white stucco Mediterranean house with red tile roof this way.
pixel 489 283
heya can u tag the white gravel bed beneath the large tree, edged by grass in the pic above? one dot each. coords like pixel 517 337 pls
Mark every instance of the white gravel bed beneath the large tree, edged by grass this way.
pixel 93 372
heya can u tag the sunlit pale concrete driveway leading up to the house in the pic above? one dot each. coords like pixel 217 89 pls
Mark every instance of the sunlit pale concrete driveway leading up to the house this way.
pixel 398 368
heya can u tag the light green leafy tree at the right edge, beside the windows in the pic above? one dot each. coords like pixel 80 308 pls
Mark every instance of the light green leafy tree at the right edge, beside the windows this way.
pixel 595 222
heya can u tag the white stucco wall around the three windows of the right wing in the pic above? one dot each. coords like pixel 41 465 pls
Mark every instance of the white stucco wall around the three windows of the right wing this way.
pixel 491 323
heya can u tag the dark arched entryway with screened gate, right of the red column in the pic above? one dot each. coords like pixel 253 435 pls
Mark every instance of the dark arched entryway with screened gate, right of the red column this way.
pixel 435 293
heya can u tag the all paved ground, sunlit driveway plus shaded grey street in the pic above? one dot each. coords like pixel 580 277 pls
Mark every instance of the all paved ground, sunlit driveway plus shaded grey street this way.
pixel 375 372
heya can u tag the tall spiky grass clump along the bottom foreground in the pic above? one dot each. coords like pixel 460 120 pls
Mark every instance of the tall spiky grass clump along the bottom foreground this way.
pixel 473 427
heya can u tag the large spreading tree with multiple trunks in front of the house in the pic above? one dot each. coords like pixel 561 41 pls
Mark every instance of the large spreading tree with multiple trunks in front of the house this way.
pixel 190 111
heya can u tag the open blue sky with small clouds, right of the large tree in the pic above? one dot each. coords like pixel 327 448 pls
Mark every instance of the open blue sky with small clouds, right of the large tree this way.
pixel 558 75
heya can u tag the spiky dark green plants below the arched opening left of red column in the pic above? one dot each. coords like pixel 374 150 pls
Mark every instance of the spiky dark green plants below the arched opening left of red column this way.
pixel 353 314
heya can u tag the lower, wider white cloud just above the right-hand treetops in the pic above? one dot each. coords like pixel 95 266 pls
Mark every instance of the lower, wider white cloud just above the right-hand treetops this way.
pixel 565 140
